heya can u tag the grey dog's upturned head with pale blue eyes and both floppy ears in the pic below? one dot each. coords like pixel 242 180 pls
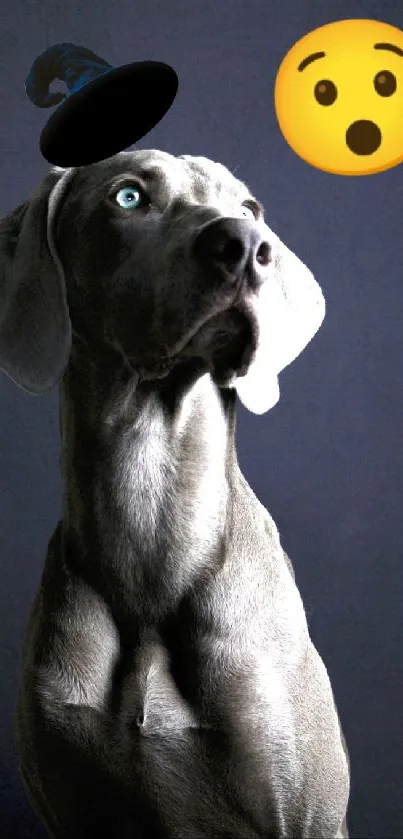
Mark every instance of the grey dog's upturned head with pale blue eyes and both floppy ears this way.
pixel 157 259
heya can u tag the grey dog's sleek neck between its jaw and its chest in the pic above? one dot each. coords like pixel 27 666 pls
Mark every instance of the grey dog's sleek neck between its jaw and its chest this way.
pixel 145 469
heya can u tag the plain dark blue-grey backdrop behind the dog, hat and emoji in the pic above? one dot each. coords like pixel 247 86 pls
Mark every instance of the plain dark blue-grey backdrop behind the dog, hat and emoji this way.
pixel 327 461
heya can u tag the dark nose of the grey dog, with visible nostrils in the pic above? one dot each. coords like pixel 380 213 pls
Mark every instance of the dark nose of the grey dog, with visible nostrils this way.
pixel 235 248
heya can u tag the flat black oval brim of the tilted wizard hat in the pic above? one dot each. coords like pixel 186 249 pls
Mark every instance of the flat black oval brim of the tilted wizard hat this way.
pixel 109 114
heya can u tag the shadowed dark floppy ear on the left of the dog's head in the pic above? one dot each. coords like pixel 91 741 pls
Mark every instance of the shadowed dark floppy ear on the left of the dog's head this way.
pixel 35 332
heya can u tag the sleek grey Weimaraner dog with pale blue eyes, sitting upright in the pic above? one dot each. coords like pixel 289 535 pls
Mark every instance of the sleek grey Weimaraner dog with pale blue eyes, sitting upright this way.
pixel 170 688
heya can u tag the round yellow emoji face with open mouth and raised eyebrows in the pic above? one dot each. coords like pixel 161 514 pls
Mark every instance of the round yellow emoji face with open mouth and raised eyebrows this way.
pixel 339 97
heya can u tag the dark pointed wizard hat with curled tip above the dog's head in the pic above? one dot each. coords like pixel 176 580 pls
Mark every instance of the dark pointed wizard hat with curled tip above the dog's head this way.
pixel 107 108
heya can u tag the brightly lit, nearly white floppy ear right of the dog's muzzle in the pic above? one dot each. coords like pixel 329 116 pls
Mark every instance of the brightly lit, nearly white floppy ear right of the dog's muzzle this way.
pixel 289 309
